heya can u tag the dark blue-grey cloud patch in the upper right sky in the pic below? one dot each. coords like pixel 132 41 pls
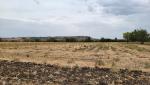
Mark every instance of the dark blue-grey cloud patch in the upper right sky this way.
pixel 120 7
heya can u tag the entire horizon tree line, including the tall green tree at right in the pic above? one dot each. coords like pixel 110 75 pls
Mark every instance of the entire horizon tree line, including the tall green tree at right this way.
pixel 138 35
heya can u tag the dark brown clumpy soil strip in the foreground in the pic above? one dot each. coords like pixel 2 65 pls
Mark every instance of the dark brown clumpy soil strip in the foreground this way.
pixel 19 73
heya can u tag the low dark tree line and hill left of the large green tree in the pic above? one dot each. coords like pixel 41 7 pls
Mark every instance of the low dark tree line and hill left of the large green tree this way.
pixel 68 39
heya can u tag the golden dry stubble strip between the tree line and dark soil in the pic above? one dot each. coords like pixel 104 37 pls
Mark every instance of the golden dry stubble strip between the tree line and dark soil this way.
pixel 111 55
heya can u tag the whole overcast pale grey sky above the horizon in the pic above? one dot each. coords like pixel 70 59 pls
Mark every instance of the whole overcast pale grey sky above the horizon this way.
pixel 95 18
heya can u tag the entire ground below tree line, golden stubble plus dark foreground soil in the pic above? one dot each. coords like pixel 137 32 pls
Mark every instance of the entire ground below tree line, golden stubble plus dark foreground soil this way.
pixel 65 55
